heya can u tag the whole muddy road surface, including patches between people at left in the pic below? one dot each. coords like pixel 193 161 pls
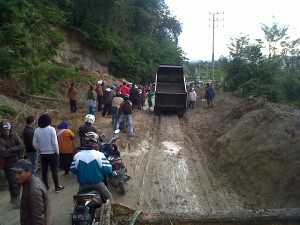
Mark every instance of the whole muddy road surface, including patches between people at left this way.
pixel 169 173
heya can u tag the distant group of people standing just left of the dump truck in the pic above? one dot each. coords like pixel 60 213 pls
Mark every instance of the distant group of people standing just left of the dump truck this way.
pixel 112 101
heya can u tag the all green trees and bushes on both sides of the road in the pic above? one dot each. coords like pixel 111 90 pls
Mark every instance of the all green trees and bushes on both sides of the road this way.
pixel 138 35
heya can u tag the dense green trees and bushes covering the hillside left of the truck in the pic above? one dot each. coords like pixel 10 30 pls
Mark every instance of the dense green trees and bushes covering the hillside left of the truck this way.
pixel 137 34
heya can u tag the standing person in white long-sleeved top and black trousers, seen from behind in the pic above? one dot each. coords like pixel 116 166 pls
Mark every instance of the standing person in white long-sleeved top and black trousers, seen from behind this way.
pixel 45 141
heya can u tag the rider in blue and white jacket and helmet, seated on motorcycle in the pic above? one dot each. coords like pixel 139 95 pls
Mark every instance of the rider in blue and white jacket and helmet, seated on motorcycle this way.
pixel 90 166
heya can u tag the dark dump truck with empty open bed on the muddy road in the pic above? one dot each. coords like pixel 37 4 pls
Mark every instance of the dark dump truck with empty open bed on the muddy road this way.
pixel 170 90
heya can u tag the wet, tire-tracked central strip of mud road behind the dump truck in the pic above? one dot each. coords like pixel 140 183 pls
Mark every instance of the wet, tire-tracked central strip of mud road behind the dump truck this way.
pixel 170 173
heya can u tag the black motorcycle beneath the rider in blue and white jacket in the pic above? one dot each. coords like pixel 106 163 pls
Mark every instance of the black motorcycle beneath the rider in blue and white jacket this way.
pixel 89 208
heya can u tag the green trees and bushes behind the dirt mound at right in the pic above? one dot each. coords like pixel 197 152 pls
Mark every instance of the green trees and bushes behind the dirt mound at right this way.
pixel 251 71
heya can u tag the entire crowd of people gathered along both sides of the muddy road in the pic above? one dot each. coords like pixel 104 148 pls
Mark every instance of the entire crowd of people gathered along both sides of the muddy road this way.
pixel 55 147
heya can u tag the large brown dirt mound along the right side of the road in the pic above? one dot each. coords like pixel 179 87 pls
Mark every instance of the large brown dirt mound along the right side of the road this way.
pixel 253 146
